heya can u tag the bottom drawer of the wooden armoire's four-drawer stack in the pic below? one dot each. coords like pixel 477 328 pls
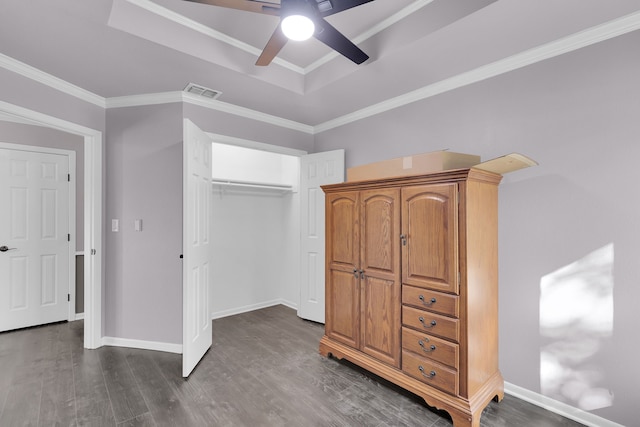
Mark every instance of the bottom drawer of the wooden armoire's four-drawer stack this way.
pixel 430 372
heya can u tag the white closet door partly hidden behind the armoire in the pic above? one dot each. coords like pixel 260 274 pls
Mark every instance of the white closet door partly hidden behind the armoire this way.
pixel 315 170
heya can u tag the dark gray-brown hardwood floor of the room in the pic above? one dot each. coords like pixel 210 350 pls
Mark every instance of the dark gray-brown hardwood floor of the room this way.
pixel 263 370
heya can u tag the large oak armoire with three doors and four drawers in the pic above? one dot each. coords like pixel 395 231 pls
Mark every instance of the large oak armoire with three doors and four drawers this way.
pixel 412 285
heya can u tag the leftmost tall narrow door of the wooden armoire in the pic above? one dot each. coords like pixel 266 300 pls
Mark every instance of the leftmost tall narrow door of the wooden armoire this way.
pixel 342 318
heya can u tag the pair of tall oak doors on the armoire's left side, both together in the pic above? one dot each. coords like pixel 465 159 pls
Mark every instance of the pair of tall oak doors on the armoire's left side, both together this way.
pixel 364 272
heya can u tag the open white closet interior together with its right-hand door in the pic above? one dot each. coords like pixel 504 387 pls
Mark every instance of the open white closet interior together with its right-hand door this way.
pixel 267 216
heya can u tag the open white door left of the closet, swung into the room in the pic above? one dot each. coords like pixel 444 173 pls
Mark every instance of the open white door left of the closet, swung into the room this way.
pixel 196 320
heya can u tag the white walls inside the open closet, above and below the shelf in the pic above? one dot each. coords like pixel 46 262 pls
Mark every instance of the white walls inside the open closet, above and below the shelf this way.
pixel 255 232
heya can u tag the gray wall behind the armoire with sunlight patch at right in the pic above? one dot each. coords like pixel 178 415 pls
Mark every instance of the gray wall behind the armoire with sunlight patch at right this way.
pixel 577 115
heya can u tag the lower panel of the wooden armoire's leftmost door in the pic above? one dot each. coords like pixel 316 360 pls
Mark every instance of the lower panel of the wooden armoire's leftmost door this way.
pixel 343 308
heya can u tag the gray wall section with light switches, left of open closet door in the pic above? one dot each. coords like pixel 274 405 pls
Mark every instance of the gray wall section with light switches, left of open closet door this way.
pixel 143 279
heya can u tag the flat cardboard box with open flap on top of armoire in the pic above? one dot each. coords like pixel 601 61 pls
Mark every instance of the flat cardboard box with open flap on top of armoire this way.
pixel 434 162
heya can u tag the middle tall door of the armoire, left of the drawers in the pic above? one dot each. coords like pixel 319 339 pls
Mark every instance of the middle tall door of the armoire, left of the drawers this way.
pixel 380 278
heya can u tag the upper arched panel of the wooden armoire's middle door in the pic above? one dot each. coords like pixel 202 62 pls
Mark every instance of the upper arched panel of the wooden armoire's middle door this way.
pixel 380 241
